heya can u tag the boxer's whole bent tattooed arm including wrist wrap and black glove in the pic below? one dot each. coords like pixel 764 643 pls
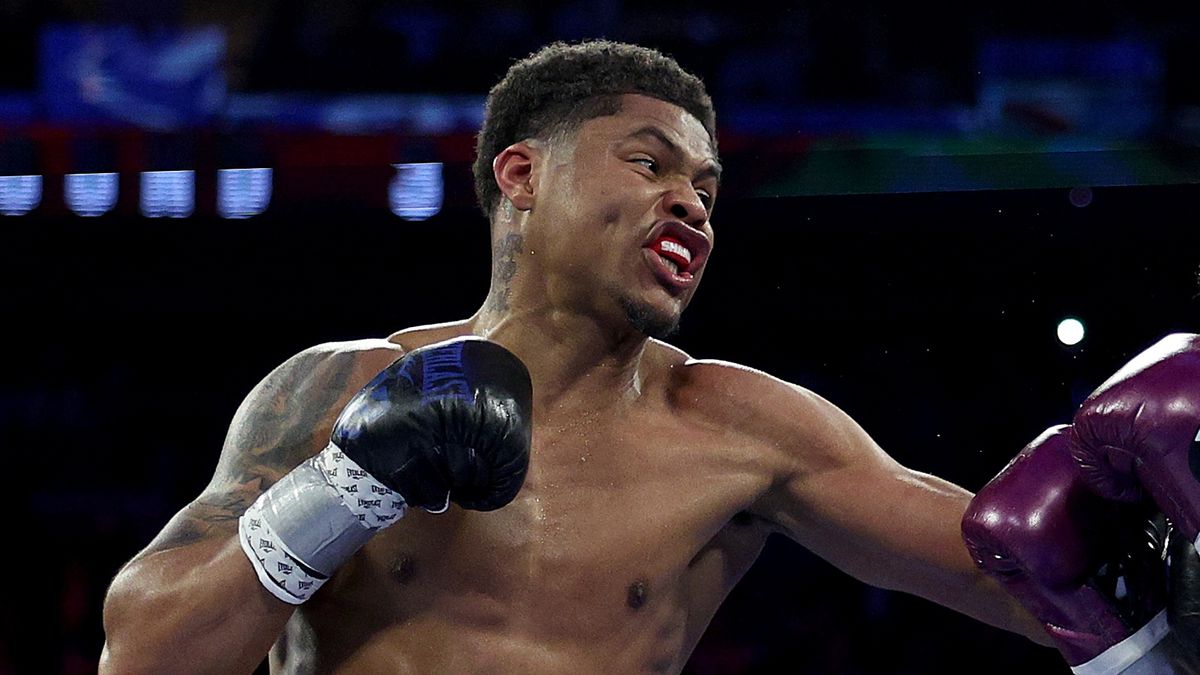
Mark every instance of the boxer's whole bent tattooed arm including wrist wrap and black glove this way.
pixel 447 423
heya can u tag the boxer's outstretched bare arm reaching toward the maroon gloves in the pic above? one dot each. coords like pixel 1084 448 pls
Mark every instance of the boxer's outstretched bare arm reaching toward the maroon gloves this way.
pixel 850 503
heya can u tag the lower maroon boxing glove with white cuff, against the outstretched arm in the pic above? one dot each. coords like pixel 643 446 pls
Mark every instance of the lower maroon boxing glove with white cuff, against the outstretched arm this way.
pixel 1089 570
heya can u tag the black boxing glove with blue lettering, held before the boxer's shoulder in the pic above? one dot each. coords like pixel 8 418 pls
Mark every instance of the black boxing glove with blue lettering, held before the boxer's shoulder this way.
pixel 449 422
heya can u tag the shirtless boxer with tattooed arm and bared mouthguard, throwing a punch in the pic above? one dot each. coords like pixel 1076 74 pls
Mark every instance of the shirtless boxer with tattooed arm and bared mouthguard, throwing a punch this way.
pixel 653 480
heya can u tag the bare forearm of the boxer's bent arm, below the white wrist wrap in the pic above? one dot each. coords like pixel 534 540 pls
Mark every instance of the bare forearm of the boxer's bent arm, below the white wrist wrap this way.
pixel 194 610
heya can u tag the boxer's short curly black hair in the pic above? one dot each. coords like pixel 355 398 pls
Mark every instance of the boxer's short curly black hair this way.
pixel 562 86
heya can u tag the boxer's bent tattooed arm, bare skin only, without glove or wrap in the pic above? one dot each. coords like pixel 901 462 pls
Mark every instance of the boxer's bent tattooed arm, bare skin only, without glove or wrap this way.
pixel 191 601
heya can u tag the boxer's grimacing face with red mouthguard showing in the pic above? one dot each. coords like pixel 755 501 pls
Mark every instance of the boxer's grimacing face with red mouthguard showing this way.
pixel 625 210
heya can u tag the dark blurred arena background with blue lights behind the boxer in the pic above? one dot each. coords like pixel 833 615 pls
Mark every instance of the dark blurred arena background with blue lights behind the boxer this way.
pixel 917 199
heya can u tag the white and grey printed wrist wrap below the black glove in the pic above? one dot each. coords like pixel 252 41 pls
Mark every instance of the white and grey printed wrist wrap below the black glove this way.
pixel 305 527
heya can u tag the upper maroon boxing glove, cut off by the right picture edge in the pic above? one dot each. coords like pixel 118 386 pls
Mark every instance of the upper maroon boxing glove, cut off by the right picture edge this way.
pixel 1137 434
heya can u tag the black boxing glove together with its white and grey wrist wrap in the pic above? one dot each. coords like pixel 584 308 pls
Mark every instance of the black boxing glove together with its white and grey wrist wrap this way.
pixel 448 422
